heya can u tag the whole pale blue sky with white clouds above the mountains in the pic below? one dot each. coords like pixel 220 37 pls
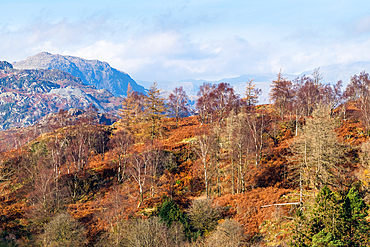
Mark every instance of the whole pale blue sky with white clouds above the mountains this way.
pixel 174 40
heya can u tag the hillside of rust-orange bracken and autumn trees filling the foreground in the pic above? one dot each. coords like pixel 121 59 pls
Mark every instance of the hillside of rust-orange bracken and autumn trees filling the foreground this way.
pixel 225 171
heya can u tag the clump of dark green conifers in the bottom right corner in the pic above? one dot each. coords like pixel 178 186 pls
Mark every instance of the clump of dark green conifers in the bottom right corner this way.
pixel 333 221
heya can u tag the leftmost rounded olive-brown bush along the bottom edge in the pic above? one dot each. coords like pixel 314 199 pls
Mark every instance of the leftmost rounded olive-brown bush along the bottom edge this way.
pixel 64 230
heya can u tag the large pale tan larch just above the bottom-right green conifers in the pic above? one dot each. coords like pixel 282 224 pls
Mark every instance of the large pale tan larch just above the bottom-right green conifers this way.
pixel 317 151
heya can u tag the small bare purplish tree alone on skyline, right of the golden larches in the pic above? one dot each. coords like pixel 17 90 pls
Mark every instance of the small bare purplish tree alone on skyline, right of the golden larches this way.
pixel 177 103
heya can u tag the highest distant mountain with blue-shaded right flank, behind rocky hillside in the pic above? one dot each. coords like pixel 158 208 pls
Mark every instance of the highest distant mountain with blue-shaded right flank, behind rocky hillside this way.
pixel 92 72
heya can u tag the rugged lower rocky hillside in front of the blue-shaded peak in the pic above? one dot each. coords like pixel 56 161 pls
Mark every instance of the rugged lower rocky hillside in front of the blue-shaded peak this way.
pixel 28 95
